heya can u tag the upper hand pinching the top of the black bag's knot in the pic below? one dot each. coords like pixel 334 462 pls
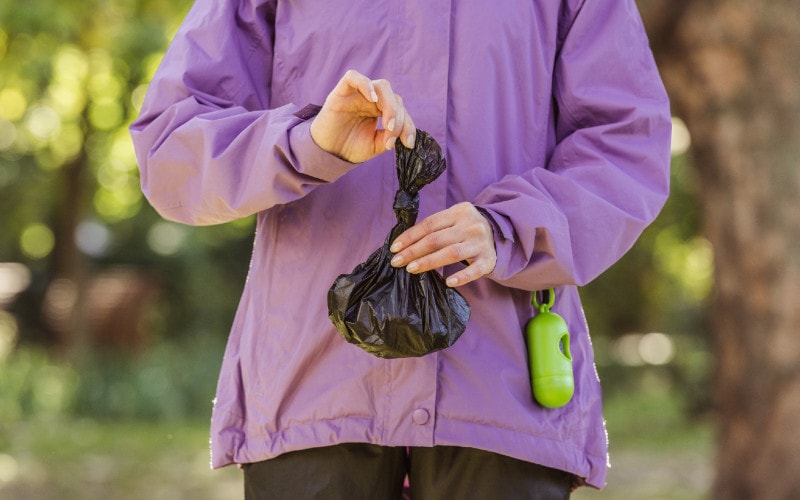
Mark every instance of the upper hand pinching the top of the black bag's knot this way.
pixel 347 124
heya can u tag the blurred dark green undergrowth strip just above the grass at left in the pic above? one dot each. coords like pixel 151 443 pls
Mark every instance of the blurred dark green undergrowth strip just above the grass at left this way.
pixel 169 382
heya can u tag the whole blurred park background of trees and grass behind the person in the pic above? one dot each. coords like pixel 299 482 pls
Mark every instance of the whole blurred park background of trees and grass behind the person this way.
pixel 113 321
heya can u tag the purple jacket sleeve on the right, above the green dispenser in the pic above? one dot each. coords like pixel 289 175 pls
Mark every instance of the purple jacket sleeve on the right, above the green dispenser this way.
pixel 608 175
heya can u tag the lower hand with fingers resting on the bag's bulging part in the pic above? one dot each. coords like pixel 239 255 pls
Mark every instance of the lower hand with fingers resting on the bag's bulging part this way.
pixel 459 233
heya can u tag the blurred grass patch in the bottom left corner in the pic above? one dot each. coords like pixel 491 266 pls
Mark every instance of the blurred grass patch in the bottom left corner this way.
pixel 85 459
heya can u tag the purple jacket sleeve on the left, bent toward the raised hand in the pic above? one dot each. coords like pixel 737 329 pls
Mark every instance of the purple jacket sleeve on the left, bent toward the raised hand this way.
pixel 208 145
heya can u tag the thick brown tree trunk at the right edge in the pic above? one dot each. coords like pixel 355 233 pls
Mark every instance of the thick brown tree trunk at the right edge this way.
pixel 732 68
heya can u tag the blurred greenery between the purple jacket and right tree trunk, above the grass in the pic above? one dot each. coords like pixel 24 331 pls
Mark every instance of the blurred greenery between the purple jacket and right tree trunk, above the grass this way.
pixel 664 284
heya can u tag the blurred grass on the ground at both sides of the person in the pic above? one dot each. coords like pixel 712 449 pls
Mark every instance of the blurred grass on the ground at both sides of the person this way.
pixel 655 454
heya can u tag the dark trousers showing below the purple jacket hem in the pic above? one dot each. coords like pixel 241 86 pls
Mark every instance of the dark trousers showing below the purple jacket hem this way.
pixel 356 471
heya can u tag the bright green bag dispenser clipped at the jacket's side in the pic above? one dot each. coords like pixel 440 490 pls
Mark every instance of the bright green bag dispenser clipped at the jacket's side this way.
pixel 549 359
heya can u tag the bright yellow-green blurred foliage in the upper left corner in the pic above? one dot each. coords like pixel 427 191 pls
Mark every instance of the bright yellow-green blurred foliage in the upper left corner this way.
pixel 71 78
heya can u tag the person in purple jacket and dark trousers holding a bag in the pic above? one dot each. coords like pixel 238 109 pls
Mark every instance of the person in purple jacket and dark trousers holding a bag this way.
pixel 556 130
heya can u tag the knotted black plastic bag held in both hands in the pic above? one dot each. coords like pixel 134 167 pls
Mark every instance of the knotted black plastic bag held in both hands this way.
pixel 388 311
